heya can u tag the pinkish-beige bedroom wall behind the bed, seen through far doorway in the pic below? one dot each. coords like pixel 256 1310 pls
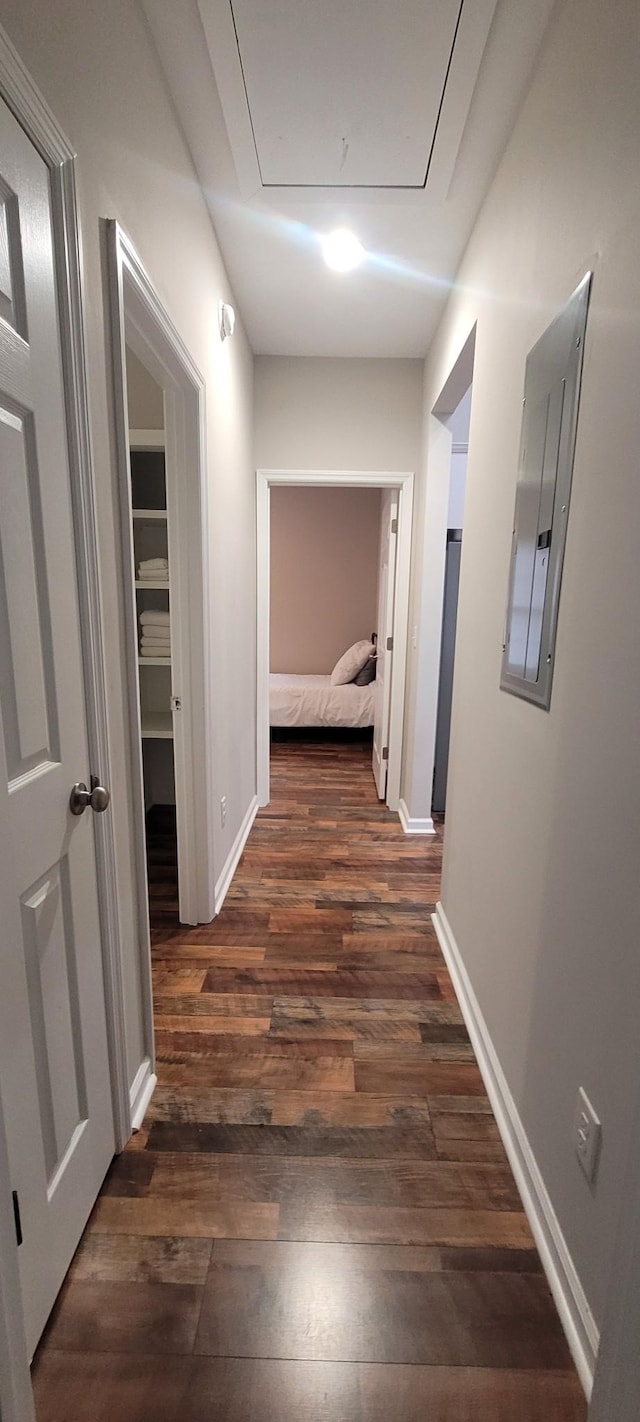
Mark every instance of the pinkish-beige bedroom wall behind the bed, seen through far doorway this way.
pixel 325 575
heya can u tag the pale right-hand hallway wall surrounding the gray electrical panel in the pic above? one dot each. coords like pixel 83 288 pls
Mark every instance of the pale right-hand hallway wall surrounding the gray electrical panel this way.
pixel 544 808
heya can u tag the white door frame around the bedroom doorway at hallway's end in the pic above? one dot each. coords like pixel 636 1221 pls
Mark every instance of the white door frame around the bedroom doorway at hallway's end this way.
pixel 345 480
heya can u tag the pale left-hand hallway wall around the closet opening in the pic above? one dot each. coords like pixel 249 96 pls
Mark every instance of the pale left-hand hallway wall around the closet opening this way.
pixel 97 69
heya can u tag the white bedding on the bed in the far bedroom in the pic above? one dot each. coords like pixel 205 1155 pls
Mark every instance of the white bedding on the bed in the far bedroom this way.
pixel 297 700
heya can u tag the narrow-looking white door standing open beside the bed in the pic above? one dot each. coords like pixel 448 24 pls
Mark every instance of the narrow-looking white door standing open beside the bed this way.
pixel 389 538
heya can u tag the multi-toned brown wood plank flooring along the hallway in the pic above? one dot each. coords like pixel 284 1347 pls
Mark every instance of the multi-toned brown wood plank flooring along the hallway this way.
pixel 318 1219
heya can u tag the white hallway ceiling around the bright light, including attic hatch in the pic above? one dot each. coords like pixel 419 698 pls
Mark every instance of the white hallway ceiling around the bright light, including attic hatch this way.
pixel 383 116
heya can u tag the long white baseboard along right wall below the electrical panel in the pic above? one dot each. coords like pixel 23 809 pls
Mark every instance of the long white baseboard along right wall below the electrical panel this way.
pixel 572 1306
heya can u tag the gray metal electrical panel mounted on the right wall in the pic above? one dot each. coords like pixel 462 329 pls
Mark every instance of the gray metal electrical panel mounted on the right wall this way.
pixel 550 420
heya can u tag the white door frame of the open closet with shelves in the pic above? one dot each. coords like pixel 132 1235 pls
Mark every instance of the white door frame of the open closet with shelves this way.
pixel 140 321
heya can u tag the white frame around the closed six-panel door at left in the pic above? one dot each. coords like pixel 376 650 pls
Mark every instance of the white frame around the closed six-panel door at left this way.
pixel 32 112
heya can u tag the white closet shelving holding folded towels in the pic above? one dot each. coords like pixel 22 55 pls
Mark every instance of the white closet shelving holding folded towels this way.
pixel 153 595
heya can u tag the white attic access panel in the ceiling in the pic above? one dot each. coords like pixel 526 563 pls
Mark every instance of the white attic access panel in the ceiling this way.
pixel 346 93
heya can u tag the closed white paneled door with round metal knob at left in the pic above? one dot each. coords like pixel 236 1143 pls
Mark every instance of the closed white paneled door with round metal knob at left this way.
pixel 55 1069
